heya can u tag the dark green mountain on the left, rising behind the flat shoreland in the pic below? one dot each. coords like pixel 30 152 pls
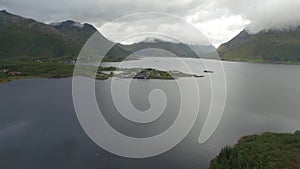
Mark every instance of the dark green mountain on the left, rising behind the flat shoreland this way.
pixel 26 37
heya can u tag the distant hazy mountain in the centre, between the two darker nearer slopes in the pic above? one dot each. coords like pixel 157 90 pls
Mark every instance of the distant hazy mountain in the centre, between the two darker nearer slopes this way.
pixel 178 49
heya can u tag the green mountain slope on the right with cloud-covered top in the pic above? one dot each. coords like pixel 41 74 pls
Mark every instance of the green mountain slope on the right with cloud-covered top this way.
pixel 278 46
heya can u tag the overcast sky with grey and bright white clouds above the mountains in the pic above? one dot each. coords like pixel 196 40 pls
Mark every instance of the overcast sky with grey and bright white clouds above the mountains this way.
pixel 218 20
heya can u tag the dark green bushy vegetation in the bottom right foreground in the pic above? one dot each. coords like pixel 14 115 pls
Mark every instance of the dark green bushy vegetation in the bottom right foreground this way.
pixel 266 151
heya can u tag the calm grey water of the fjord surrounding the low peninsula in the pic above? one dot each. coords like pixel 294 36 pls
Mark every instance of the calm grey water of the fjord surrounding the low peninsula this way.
pixel 39 127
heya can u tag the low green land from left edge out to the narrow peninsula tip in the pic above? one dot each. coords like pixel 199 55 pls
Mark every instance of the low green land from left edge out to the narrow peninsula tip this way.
pixel 24 67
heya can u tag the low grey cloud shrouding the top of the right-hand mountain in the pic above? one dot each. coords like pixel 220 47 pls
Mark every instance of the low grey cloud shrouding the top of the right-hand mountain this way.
pixel 266 14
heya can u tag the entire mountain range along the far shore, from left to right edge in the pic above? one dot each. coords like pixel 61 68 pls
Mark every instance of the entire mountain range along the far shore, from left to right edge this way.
pixel 23 37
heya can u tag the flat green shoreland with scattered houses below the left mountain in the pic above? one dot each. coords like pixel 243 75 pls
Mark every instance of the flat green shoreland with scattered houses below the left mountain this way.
pixel 24 68
